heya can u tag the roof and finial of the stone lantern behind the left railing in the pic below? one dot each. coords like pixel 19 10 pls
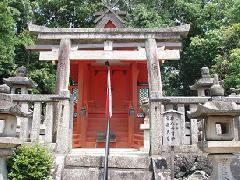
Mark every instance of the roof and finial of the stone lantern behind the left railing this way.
pixel 20 79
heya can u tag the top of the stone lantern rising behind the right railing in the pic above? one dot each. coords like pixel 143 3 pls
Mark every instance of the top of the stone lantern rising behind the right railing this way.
pixel 204 83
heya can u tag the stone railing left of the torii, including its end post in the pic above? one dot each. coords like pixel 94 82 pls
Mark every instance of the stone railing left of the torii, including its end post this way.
pixel 50 122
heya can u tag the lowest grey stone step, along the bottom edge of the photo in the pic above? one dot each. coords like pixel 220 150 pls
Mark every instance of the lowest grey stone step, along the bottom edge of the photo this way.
pixel 114 174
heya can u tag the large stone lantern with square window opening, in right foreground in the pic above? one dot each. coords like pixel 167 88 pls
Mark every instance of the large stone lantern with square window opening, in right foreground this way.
pixel 218 119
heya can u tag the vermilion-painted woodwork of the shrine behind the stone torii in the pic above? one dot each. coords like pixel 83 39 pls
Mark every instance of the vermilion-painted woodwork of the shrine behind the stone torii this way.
pixel 91 80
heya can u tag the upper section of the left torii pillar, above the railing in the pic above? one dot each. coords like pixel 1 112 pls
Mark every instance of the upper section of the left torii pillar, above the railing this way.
pixel 63 68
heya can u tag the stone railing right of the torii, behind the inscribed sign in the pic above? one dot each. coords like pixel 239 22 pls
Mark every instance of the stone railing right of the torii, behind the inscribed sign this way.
pixel 190 128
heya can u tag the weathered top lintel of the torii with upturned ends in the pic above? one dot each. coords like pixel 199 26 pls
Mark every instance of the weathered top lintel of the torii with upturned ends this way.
pixel 93 34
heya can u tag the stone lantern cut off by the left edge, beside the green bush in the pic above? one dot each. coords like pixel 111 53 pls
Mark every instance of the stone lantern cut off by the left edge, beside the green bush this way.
pixel 8 125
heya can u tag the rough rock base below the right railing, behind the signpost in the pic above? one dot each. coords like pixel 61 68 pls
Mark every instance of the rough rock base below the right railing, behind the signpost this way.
pixel 186 165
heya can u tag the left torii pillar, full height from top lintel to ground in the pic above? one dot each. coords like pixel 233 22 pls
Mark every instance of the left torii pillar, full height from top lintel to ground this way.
pixel 63 110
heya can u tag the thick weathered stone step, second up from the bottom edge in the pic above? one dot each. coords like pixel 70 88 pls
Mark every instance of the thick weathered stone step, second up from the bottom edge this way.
pixel 115 161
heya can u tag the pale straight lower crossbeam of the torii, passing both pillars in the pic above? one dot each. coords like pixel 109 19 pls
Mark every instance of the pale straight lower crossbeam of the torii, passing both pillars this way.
pixel 139 55
